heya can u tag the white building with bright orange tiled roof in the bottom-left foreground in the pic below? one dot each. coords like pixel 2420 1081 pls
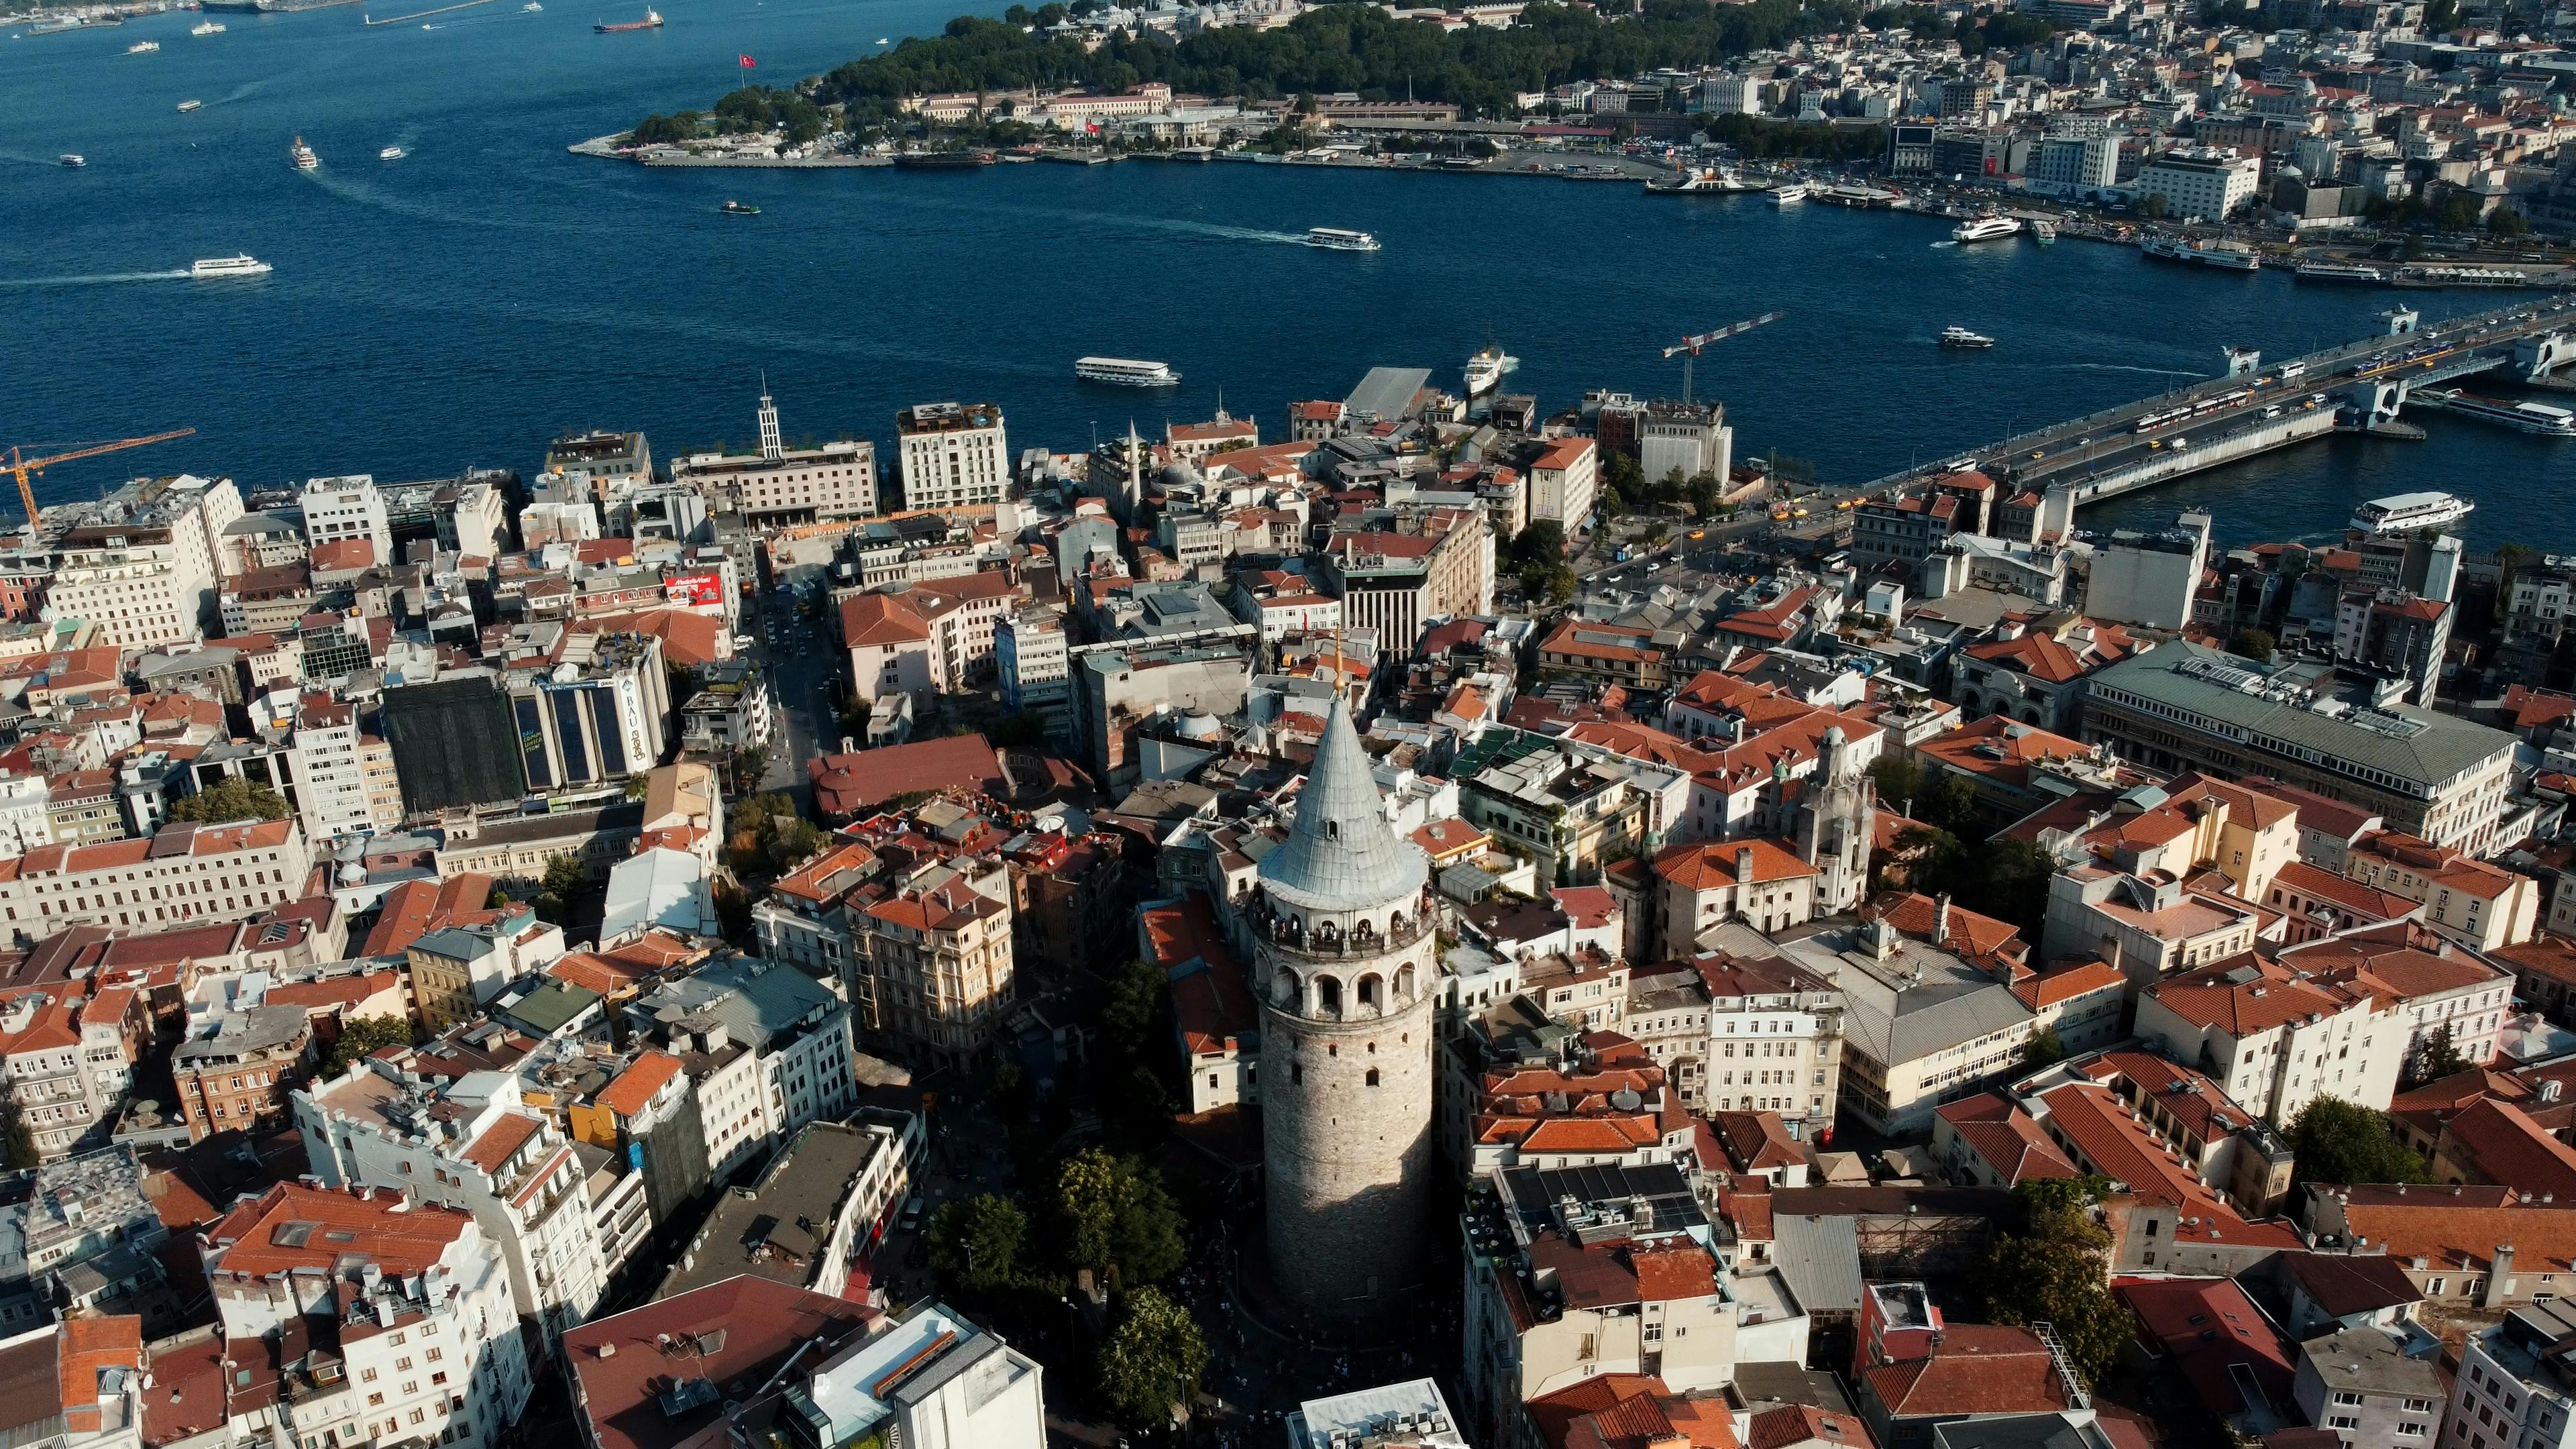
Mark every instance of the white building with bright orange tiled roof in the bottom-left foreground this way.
pixel 413 1301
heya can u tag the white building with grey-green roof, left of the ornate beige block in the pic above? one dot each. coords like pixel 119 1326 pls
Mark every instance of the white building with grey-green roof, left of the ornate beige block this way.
pixel 766 1045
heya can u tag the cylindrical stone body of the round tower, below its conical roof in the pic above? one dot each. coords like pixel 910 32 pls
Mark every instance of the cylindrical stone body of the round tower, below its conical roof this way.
pixel 1349 1164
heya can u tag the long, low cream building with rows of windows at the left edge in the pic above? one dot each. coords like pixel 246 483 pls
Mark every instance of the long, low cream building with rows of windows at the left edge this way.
pixel 184 873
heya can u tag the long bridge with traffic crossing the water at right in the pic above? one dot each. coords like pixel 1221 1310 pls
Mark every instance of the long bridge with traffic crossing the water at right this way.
pixel 2358 388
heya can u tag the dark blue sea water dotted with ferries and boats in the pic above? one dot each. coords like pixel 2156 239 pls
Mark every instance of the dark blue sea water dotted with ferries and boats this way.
pixel 491 290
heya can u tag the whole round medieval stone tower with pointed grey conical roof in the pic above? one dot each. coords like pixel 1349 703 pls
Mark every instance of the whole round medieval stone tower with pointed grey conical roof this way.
pixel 1346 963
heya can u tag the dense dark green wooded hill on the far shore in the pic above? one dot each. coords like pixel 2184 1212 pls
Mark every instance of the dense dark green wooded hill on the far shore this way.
pixel 1338 48
